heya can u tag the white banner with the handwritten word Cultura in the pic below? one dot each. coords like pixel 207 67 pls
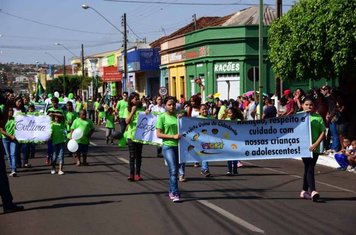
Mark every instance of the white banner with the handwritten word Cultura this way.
pixel 32 128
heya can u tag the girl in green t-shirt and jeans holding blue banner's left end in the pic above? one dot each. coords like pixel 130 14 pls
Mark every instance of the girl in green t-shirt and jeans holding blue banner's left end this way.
pixel 167 130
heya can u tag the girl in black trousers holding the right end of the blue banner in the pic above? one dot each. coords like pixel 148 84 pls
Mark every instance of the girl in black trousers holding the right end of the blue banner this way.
pixel 318 135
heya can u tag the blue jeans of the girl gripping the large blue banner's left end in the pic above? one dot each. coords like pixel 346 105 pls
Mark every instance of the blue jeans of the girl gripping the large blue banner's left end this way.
pixel 170 154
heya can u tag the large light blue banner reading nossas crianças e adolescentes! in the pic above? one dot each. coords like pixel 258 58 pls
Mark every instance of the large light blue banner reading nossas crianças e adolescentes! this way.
pixel 219 140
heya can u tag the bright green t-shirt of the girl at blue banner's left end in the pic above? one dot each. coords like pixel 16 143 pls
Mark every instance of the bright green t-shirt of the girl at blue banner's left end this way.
pixel 168 124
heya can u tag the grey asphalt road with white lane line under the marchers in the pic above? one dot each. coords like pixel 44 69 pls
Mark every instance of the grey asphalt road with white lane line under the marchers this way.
pixel 98 199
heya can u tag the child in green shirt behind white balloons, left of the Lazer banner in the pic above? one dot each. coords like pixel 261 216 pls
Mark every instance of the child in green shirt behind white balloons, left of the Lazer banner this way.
pixel 87 126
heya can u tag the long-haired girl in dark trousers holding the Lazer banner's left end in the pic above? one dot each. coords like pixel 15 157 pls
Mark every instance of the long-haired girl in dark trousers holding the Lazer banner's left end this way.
pixel 135 148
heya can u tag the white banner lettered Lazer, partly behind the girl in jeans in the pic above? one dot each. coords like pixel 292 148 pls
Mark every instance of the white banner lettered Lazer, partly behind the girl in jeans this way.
pixel 146 129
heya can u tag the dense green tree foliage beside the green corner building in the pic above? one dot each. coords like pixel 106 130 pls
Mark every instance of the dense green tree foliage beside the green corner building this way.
pixel 315 39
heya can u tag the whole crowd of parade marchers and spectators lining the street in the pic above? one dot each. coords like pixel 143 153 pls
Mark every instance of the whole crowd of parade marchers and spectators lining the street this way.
pixel 329 127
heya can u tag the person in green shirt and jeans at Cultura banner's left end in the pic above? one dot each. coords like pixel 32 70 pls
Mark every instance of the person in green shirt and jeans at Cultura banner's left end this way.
pixel 9 141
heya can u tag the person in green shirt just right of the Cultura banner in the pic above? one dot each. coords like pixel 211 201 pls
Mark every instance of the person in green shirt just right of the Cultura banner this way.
pixel 58 138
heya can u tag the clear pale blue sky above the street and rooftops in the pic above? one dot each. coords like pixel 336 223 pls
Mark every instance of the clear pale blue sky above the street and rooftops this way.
pixel 29 29
